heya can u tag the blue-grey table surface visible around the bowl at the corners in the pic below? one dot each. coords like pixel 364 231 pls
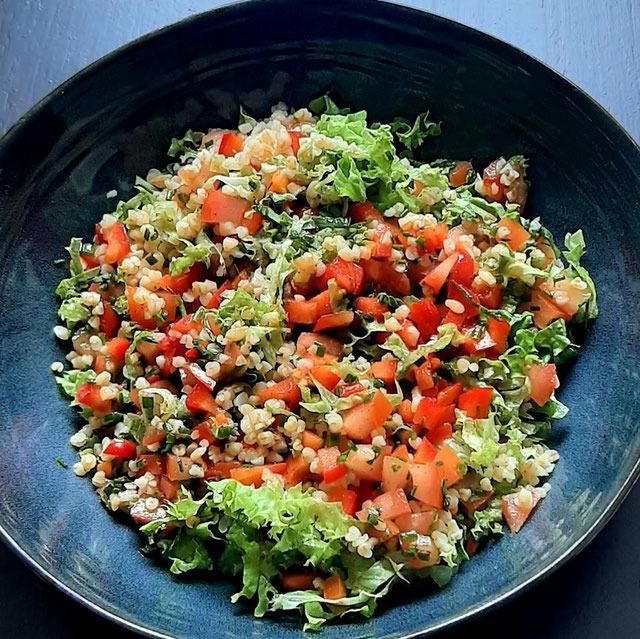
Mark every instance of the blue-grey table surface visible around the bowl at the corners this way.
pixel 595 43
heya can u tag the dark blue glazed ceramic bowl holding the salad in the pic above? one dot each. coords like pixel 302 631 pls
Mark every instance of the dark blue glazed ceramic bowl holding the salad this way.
pixel 115 119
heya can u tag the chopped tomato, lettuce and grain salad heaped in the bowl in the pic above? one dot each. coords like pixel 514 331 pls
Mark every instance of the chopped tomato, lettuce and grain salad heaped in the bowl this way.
pixel 309 361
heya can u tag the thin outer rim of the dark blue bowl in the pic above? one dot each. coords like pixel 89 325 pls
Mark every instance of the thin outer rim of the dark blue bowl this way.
pixel 490 42
